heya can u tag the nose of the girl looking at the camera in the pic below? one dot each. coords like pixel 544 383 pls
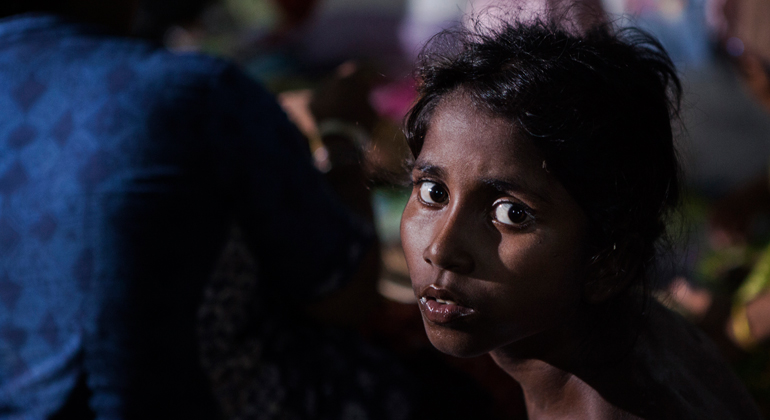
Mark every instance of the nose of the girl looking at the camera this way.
pixel 449 248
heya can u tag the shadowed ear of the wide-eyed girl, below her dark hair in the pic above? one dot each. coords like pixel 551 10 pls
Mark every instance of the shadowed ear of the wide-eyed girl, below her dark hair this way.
pixel 609 273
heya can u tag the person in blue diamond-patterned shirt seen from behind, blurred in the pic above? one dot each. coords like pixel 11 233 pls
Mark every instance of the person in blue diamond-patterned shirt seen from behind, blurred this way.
pixel 122 169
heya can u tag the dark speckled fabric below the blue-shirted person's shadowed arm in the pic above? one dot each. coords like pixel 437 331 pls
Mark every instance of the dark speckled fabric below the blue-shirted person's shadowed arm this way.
pixel 265 364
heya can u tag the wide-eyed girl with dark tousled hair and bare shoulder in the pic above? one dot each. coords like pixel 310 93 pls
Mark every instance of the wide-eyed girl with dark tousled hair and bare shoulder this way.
pixel 544 173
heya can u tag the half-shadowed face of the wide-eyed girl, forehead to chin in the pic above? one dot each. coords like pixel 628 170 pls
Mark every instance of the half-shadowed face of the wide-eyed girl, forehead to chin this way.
pixel 494 243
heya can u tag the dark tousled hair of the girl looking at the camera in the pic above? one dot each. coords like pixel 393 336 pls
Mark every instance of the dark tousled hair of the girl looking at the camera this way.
pixel 597 103
